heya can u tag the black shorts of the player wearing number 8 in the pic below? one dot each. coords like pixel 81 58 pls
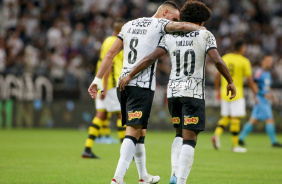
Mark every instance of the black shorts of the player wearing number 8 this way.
pixel 136 104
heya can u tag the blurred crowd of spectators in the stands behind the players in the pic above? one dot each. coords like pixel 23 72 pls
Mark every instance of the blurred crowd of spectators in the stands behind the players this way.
pixel 61 39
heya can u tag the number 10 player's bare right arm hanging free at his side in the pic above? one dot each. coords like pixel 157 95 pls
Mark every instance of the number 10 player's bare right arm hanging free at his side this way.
pixel 223 70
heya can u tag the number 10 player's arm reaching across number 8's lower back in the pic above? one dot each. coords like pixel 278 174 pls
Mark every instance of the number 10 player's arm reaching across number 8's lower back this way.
pixel 143 64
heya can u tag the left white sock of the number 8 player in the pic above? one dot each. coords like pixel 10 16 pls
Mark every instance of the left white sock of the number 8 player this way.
pixel 127 151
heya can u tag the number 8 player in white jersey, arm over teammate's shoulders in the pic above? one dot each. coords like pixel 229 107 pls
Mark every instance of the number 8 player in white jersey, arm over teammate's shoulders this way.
pixel 138 38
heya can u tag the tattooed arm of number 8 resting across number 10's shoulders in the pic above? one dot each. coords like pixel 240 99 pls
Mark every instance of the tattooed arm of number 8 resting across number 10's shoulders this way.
pixel 182 26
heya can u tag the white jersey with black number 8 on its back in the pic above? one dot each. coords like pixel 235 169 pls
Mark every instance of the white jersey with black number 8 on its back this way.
pixel 140 38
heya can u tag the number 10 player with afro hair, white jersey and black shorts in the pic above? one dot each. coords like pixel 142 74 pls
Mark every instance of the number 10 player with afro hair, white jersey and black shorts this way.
pixel 185 91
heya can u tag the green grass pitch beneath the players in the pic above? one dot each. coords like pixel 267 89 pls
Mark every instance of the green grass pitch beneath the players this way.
pixel 54 157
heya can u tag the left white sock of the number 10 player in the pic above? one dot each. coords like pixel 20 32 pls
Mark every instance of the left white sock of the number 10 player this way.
pixel 175 152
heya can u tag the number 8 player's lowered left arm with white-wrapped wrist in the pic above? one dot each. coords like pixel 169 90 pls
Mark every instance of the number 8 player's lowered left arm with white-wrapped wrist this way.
pixel 106 63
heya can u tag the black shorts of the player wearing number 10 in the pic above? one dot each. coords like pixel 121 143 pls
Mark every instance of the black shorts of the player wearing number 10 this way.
pixel 187 112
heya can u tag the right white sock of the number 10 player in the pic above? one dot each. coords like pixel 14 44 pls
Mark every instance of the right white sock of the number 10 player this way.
pixel 186 159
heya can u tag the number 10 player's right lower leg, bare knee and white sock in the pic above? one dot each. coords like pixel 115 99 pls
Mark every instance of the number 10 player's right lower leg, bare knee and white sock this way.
pixel 186 157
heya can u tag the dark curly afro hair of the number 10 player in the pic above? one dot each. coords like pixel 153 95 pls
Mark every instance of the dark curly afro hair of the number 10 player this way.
pixel 195 12
